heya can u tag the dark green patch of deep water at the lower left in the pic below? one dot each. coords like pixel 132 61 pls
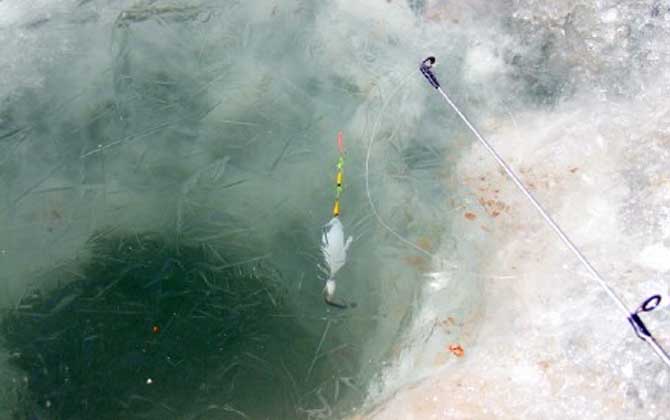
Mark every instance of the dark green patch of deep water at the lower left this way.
pixel 148 329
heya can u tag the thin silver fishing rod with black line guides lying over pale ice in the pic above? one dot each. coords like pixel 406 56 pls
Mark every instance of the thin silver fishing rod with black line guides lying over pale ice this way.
pixel 633 317
